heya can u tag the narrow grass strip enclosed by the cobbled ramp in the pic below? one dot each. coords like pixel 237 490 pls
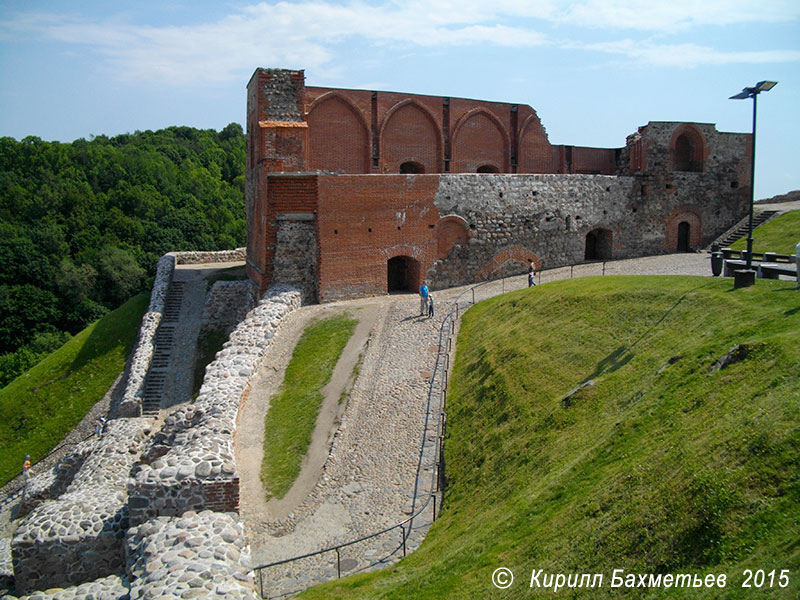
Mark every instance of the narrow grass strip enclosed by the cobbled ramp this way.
pixel 293 411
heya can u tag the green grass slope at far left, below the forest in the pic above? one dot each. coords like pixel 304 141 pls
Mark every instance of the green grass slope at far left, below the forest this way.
pixel 39 408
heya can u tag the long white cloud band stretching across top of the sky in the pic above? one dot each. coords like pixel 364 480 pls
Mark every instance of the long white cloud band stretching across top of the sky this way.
pixel 307 34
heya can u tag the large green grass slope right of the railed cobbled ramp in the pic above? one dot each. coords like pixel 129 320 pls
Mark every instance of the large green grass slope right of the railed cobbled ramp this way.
pixel 661 466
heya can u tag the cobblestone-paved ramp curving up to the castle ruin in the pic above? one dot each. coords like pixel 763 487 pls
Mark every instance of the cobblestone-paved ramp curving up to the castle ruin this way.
pixel 368 480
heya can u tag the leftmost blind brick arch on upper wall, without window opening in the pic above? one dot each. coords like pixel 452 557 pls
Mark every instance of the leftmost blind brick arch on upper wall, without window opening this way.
pixel 339 137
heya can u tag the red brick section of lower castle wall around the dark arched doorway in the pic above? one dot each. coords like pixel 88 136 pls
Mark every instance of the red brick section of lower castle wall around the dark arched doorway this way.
pixel 365 220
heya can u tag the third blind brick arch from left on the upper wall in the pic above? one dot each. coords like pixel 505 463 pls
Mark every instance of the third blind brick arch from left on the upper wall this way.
pixel 479 138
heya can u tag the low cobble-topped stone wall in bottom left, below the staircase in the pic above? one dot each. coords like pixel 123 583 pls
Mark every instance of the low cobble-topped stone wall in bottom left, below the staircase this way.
pixel 79 536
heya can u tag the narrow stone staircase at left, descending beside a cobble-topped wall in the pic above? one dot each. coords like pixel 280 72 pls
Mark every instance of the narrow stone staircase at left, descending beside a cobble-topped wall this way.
pixel 164 341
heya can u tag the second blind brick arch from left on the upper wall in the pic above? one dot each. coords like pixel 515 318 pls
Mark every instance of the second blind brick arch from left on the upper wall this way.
pixel 410 133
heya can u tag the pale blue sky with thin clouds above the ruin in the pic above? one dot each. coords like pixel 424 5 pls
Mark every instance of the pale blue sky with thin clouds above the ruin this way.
pixel 594 70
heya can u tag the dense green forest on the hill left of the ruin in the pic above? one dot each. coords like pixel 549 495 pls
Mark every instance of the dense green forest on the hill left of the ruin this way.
pixel 83 224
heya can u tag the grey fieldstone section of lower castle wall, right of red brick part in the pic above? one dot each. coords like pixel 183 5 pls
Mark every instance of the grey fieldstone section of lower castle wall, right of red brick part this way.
pixel 541 217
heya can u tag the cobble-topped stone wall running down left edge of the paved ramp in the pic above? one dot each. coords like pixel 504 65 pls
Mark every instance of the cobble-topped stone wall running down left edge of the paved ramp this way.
pixel 189 465
